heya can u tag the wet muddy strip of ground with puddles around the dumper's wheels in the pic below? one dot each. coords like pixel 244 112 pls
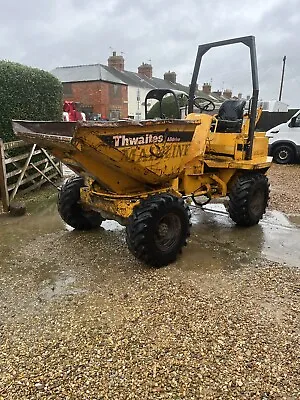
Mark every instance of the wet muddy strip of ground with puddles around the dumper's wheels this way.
pixel 41 257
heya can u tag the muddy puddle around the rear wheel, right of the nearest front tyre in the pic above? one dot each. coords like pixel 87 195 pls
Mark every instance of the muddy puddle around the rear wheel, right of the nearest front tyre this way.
pixel 275 238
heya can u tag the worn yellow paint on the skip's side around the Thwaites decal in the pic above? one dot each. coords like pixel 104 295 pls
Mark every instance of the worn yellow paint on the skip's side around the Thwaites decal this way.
pixel 128 168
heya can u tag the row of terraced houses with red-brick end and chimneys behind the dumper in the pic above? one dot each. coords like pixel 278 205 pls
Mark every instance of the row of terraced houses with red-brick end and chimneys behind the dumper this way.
pixel 113 93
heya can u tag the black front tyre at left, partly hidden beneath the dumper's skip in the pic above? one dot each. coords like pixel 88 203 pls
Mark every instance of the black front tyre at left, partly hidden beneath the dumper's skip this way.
pixel 70 209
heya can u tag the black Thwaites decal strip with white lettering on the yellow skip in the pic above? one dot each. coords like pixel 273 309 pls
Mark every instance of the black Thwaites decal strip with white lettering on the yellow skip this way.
pixel 137 140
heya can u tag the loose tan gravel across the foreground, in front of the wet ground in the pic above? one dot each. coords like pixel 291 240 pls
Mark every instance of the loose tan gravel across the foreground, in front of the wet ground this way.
pixel 218 336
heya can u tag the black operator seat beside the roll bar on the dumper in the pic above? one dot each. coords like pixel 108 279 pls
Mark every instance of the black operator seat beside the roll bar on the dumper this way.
pixel 230 116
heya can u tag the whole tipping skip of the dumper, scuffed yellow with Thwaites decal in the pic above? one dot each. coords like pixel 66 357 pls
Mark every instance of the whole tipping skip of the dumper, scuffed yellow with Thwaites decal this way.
pixel 139 153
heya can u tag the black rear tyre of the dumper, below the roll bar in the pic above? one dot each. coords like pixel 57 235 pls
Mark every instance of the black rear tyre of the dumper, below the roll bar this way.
pixel 248 199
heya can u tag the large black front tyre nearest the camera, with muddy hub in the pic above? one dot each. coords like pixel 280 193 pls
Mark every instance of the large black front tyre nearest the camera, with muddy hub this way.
pixel 158 229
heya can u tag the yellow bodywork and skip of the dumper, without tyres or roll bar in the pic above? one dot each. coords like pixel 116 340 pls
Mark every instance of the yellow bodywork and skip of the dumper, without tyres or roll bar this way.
pixel 125 162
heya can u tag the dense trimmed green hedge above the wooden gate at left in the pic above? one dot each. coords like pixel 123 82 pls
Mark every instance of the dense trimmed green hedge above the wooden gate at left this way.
pixel 27 93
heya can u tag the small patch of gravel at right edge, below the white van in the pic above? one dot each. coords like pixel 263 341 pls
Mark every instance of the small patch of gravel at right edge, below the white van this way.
pixel 285 193
